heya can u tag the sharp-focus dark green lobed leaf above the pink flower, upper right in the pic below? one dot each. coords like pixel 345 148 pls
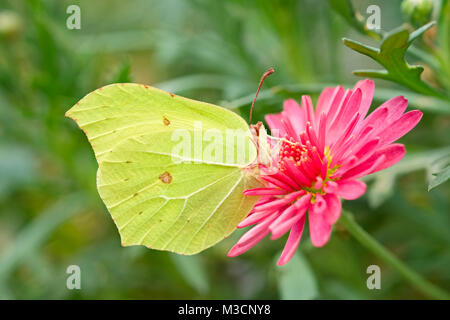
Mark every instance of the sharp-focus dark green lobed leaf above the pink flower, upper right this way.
pixel 391 55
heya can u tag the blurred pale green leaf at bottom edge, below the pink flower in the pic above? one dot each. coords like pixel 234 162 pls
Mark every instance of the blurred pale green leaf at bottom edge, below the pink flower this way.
pixel 296 280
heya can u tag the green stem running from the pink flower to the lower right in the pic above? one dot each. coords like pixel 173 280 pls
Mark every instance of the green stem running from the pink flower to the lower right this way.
pixel 373 245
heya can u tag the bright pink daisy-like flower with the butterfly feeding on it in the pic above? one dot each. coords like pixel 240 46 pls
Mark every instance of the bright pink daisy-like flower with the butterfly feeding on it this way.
pixel 322 155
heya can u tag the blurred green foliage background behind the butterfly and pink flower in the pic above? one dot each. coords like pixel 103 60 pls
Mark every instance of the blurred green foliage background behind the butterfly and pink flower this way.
pixel 51 215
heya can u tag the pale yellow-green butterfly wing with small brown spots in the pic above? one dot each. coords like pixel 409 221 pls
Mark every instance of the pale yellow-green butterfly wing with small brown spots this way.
pixel 161 191
